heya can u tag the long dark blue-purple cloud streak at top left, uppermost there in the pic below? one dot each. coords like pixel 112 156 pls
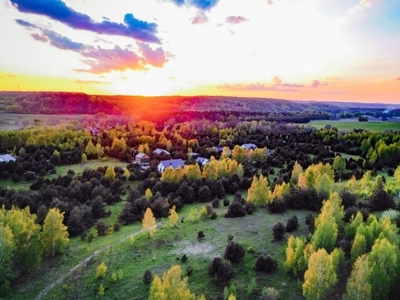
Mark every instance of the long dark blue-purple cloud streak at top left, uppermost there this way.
pixel 58 10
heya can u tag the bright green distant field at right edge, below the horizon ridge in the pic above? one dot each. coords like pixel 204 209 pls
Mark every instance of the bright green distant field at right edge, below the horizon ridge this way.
pixel 350 124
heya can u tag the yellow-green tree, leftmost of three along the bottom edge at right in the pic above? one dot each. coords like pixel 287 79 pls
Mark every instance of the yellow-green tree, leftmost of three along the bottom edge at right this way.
pixel 320 276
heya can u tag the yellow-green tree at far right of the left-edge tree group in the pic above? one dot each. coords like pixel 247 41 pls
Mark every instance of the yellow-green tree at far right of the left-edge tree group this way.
pixel 55 234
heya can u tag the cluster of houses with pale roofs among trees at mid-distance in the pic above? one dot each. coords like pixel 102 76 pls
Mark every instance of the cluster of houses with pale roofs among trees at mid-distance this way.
pixel 143 159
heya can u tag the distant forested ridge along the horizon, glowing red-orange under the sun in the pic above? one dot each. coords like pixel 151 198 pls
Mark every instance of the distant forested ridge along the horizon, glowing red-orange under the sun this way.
pixel 80 103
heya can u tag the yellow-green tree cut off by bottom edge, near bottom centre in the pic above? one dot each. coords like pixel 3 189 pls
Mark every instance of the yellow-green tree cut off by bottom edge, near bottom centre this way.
pixel 171 286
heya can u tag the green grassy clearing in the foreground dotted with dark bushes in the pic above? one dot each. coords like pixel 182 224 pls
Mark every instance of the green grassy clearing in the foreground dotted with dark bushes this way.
pixel 162 251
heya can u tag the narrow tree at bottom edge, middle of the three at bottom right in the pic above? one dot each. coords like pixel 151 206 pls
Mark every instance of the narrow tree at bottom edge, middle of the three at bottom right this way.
pixel 358 286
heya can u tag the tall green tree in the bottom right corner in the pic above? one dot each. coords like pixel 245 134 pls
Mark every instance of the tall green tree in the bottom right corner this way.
pixel 383 262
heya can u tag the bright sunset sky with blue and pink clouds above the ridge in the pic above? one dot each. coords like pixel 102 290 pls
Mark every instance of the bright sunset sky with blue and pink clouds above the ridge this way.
pixel 331 50
